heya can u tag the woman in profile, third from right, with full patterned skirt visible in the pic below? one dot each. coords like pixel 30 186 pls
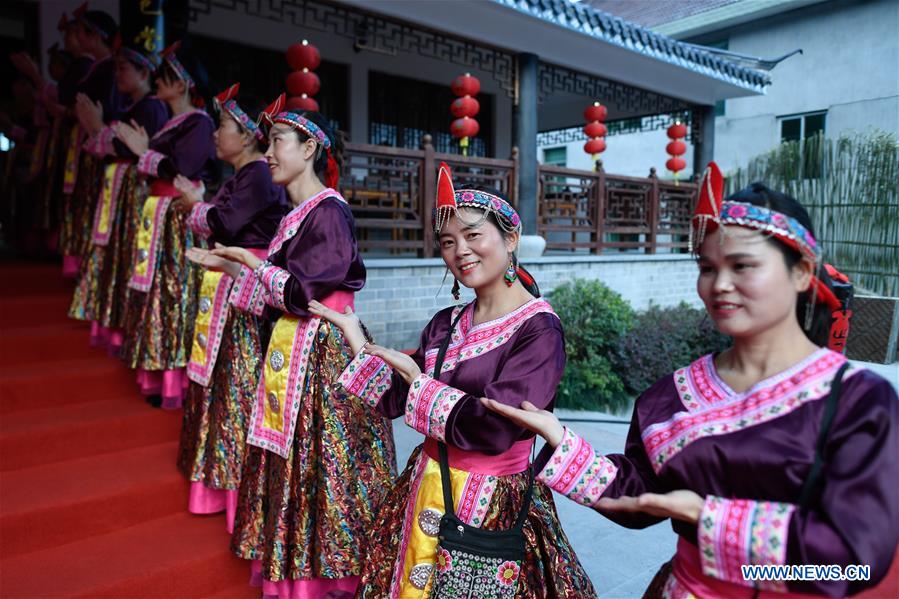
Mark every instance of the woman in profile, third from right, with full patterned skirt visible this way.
pixel 317 461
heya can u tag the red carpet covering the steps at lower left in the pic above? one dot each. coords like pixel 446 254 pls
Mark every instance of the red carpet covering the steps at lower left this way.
pixel 91 504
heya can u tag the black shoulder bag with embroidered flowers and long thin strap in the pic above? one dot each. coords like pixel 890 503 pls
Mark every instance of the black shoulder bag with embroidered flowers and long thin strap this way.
pixel 473 563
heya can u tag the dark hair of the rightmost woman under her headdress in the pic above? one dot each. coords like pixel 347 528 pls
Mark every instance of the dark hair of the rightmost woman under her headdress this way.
pixel 759 194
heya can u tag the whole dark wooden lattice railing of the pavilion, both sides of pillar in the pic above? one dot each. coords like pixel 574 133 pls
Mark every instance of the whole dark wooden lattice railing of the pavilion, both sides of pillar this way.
pixel 391 191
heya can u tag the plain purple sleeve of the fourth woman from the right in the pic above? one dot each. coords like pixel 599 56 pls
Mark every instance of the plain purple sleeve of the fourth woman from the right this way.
pixel 252 193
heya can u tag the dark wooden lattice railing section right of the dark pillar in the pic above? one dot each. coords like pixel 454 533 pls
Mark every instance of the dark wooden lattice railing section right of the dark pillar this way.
pixel 591 211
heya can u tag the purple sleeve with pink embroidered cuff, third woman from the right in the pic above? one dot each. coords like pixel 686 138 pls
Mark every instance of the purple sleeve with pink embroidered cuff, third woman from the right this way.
pixel 319 260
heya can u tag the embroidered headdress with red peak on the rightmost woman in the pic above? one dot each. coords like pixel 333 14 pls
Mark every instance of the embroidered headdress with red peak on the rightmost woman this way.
pixel 712 211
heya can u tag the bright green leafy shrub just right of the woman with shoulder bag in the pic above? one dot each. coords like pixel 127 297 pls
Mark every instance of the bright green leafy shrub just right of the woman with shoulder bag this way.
pixel 595 320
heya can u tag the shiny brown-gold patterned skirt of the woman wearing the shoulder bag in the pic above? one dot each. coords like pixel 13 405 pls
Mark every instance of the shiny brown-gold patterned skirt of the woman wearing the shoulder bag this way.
pixel 550 568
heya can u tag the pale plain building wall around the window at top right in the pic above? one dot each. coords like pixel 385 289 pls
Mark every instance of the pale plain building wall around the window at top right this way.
pixel 849 67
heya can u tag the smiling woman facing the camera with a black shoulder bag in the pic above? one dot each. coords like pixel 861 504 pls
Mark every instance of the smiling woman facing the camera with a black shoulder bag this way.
pixel 506 345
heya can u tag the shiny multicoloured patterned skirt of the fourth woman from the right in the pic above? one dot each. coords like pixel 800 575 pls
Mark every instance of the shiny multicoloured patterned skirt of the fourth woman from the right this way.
pixel 216 417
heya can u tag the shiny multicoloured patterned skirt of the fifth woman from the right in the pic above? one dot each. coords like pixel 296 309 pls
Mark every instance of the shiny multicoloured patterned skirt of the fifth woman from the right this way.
pixel 159 326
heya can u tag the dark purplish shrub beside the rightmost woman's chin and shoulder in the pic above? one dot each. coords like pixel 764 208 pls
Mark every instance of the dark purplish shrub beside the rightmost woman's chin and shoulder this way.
pixel 663 340
